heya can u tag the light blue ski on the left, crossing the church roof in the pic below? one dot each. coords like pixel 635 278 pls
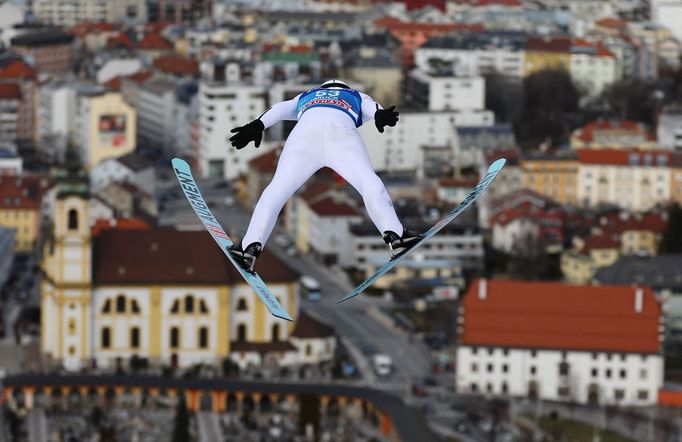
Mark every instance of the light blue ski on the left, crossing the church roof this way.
pixel 196 200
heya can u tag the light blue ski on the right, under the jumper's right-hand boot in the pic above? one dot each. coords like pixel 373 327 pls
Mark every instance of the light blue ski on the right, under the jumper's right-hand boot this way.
pixel 490 175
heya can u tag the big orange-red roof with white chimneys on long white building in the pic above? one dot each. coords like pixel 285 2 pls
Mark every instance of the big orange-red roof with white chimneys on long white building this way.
pixel 563 317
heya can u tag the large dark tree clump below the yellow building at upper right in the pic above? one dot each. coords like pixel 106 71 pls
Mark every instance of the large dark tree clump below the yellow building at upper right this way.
pixel 550 99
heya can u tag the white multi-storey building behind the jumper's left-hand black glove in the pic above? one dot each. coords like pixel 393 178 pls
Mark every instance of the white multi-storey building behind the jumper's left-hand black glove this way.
pixel 221 109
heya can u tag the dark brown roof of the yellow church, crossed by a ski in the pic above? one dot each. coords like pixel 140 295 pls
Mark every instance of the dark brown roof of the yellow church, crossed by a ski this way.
pixel 166 256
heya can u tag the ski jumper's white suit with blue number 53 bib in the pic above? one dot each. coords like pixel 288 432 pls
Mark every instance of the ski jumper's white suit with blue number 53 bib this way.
pixel 326 135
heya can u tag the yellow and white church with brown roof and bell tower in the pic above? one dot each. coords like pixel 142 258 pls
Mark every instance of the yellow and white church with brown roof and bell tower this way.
pixel 166 295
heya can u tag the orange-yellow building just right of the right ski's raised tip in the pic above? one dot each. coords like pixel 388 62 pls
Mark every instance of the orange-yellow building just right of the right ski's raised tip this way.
pixel 552 175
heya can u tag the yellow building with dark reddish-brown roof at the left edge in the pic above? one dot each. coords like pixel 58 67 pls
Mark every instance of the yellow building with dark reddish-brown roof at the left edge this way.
pixel 20 209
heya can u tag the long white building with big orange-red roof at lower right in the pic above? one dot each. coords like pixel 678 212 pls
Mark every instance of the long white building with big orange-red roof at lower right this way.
pixel 588 344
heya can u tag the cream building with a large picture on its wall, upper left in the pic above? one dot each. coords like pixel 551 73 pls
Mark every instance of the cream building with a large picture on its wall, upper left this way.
pixel 106 127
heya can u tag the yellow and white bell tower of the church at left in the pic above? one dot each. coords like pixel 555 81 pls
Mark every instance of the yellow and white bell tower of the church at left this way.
pixel 67 282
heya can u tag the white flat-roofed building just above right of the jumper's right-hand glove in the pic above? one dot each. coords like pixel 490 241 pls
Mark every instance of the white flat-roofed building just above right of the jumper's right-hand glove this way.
pixel 448 92
